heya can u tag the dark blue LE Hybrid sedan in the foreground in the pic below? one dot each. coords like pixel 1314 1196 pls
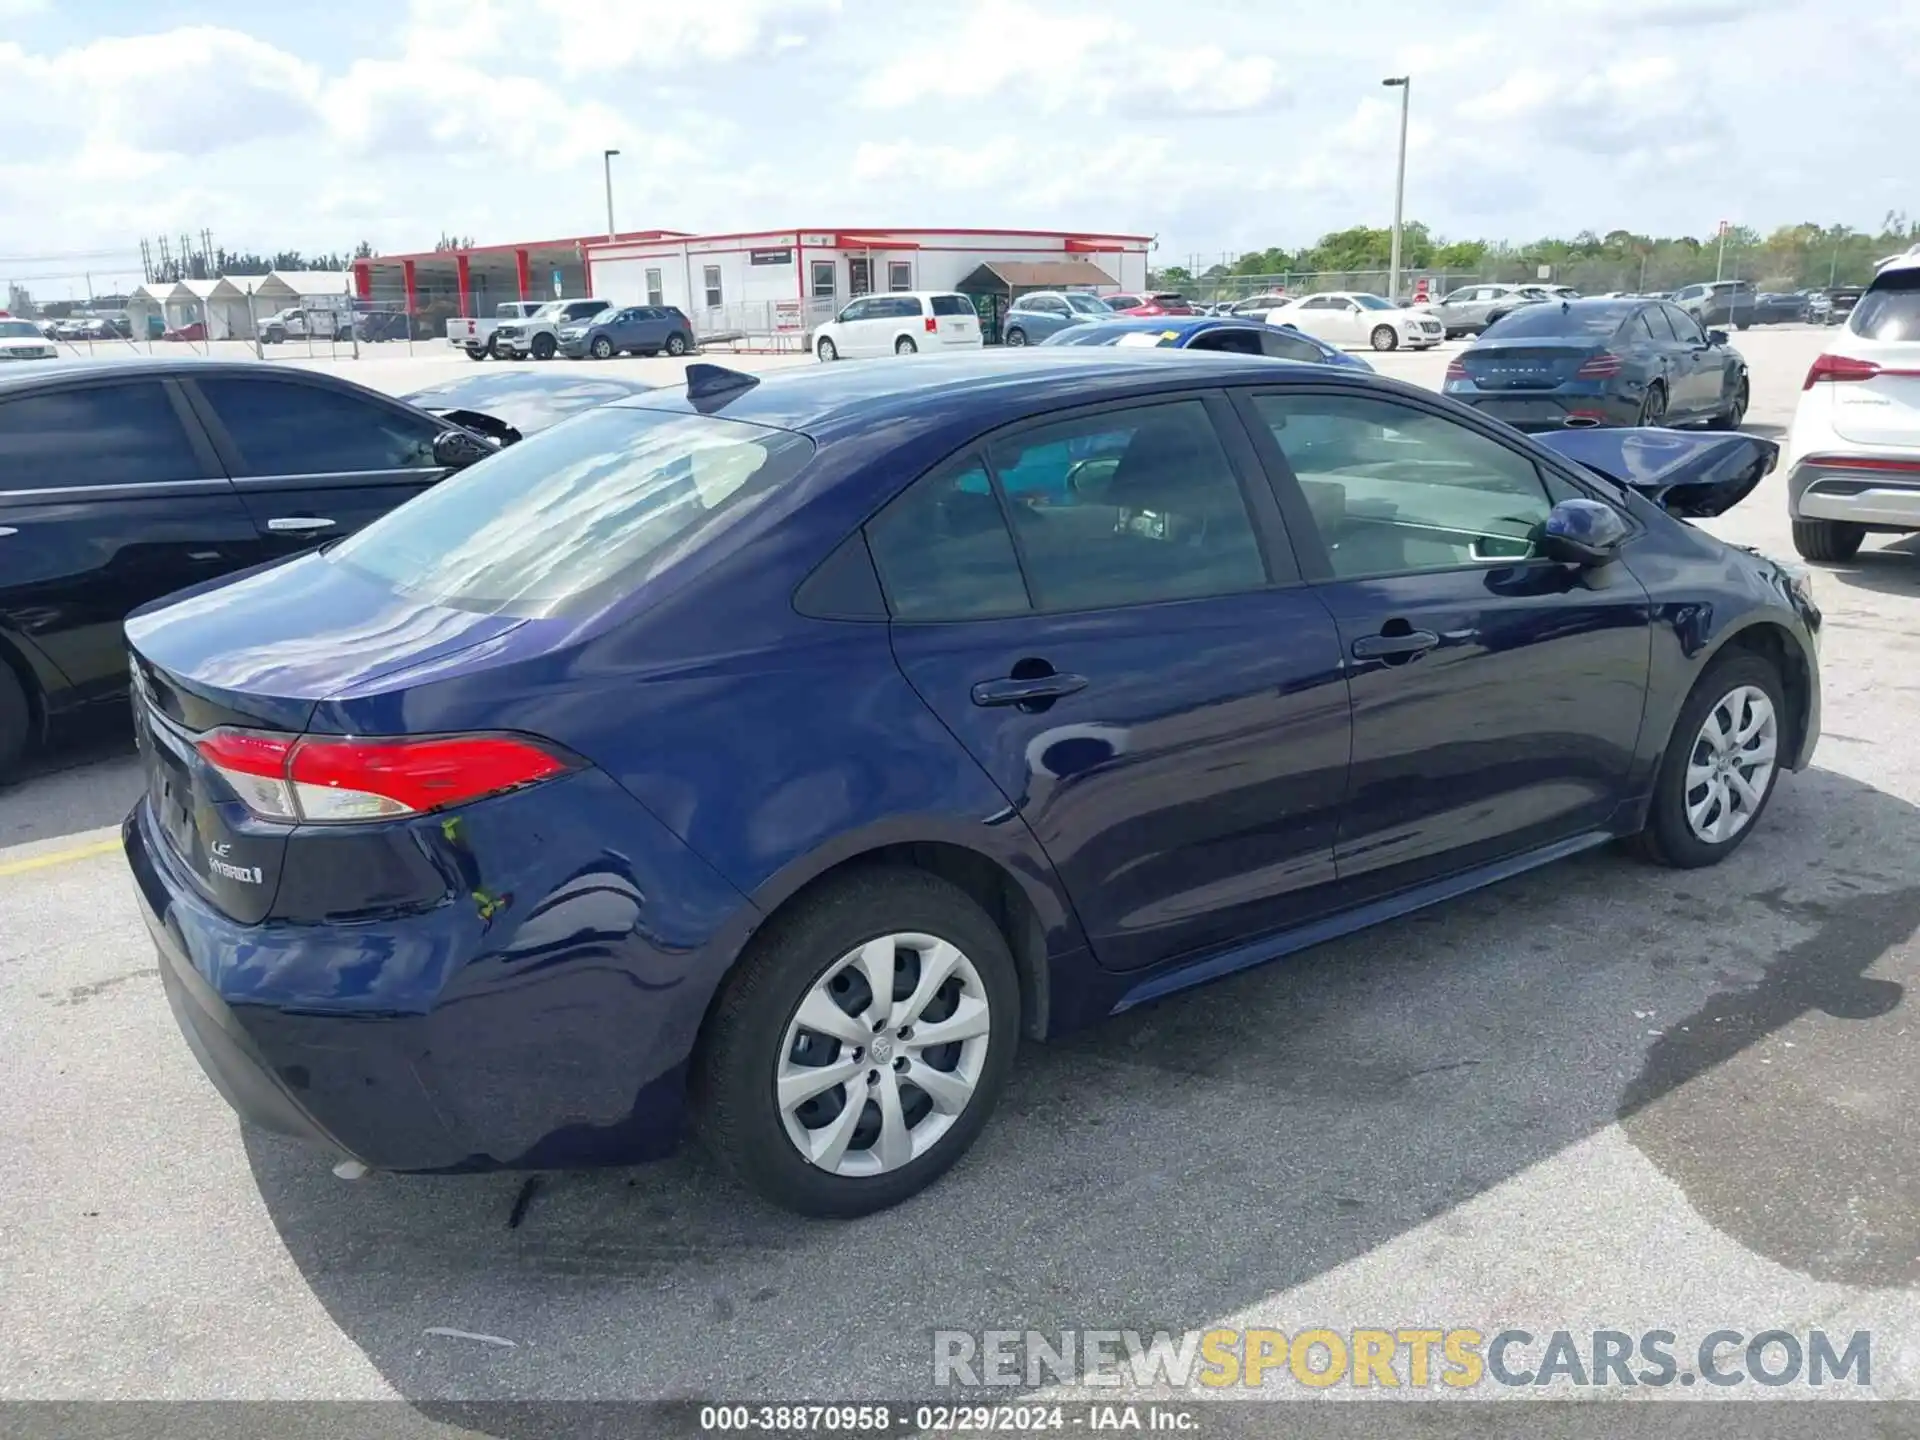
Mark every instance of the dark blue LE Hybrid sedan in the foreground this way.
pixel 754 754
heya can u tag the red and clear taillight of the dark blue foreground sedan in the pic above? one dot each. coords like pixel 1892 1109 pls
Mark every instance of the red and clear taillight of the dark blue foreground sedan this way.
pixel 335 780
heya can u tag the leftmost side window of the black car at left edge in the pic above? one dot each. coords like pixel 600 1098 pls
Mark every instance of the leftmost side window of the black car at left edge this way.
pixel 122 435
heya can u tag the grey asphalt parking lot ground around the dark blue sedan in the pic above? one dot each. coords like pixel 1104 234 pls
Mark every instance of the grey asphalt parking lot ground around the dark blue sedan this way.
pixel 1596 1097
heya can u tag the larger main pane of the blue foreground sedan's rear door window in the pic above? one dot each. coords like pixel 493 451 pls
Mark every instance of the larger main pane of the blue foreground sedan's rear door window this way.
pixel 1128 508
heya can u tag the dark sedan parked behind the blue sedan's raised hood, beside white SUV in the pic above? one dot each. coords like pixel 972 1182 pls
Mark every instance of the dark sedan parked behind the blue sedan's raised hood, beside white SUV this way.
pixel 1602 362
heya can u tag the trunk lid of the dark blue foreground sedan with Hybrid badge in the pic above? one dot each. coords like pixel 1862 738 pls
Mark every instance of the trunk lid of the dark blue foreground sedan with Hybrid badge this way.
pixel 260 654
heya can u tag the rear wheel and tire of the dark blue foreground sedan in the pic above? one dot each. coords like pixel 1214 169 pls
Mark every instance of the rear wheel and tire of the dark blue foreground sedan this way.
pixel 819 1086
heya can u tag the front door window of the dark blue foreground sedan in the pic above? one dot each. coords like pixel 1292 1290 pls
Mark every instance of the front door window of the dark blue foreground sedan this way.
pixel 1395 491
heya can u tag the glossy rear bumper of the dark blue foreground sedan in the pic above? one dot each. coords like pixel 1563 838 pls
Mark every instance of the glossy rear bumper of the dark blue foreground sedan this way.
pixel 550 1032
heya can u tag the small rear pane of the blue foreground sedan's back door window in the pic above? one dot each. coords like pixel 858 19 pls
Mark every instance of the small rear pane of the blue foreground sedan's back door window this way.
pixel 944 550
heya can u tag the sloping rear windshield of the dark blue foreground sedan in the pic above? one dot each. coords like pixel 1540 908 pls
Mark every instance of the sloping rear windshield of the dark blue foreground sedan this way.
pixel 577 516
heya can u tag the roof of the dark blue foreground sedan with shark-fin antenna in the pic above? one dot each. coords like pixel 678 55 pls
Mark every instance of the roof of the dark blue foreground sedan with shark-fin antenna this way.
pixel 980 391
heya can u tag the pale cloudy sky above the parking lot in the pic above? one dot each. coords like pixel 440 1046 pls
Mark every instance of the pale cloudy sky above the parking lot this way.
pixel 1216 126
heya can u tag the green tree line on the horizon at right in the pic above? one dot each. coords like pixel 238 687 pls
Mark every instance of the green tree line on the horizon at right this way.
pixel 1790 258
